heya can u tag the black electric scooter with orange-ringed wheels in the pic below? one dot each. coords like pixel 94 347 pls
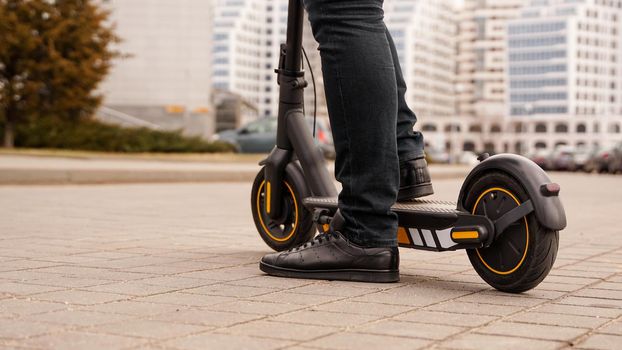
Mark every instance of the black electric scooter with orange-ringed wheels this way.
pixel 507 217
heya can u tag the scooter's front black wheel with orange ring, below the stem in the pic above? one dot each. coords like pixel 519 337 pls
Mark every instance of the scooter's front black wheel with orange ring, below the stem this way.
pixel 295 226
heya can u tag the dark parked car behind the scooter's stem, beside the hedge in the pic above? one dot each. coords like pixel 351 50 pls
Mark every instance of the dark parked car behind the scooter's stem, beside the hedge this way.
pixel 259 136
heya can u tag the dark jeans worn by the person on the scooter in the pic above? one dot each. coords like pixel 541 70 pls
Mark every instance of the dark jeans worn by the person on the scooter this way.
pixel 372 125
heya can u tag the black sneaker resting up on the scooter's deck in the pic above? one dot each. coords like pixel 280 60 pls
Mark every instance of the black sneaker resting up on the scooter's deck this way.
pixel 415 180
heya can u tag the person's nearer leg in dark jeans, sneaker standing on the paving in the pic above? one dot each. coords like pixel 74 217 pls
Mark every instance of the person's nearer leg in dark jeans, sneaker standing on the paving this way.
pixel 361 94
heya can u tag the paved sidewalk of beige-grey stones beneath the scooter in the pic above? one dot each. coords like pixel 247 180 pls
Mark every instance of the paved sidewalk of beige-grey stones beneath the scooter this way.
pixel 174 266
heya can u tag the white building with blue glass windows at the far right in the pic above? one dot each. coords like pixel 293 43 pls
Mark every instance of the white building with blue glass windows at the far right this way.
pixel 565 74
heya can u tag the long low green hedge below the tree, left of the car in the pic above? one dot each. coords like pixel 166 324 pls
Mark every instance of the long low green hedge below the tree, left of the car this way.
pixel 92 135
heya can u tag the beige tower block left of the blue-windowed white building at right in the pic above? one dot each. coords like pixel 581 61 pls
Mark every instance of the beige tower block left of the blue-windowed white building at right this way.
pixel 480 84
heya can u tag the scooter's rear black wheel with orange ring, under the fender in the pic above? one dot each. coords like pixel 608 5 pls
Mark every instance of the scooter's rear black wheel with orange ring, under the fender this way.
pixel 524 254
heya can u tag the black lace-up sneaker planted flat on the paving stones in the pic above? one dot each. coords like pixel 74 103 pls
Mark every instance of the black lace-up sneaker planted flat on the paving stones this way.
pixel 331 256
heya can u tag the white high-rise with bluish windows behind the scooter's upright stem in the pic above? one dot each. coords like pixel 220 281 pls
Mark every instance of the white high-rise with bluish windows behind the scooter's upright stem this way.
pixel 247 39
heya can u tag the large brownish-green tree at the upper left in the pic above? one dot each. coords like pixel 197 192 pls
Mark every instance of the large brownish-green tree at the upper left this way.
pixel 53 55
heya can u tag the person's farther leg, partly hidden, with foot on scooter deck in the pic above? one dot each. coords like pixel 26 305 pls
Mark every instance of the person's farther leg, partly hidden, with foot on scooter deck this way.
pixel 415 179
